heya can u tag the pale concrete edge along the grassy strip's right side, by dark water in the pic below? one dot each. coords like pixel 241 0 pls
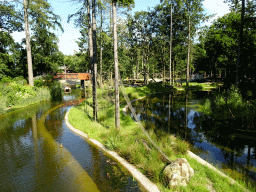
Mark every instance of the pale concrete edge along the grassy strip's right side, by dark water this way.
pixel 194 156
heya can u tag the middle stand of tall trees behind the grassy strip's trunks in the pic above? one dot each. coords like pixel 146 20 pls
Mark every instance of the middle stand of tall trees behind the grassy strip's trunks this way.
pixel 144 38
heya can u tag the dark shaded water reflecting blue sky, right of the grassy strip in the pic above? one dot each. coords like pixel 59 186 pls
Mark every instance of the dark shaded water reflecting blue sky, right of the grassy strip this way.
pixel 216 142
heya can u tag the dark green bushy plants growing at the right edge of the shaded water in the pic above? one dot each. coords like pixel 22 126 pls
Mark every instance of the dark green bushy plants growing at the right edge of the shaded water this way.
pixel 230 107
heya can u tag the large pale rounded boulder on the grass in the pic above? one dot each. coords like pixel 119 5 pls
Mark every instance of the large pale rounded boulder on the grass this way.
pixel 178 172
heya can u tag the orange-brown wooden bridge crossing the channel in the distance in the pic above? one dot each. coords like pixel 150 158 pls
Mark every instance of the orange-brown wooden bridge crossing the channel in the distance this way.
pixel 72 76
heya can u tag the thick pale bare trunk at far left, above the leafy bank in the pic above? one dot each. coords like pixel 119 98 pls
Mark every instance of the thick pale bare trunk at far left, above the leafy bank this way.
pixel 29 58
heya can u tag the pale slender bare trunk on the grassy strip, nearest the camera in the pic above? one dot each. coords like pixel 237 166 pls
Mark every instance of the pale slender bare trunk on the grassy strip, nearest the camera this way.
pixel 117 112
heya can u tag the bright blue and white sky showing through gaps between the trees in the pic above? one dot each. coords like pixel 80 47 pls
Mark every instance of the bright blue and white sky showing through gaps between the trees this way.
pixel 67 39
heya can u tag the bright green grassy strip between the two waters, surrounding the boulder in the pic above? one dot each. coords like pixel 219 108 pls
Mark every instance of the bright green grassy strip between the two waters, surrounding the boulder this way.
pixel 141 153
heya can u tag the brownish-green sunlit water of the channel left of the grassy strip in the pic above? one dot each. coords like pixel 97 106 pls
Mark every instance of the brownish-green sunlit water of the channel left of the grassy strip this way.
pixel 31 159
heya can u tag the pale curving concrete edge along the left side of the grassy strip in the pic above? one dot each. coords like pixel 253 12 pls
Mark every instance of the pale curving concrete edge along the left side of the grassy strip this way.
pixel 142 179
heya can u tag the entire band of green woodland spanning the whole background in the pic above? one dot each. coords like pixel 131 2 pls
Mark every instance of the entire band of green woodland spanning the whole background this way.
pixel 169 40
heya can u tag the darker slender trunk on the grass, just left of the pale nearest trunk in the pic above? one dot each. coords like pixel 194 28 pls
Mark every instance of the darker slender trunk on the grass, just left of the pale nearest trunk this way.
pixel 95 103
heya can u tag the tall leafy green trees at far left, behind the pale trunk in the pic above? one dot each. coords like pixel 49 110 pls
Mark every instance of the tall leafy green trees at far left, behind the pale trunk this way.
pixel 43 42
